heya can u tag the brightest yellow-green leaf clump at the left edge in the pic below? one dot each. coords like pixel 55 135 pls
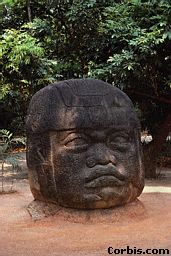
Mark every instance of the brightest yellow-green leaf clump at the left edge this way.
pixel 20 49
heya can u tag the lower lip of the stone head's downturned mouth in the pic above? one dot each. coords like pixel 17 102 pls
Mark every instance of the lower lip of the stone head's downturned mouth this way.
pixel 105 180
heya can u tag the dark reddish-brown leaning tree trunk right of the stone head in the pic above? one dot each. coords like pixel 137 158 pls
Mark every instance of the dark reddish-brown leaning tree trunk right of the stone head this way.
pixel 152 150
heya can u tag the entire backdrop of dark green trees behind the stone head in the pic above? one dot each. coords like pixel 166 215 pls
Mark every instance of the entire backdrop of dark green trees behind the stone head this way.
pixel 126 43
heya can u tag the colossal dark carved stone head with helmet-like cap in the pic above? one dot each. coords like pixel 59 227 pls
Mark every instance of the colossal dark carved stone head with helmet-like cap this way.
pixel 83 145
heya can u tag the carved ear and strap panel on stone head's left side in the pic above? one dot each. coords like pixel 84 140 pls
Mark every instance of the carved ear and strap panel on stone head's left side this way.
pixel 40 166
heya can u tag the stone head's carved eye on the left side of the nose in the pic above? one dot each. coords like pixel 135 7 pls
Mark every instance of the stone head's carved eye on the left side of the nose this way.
pixel 76 141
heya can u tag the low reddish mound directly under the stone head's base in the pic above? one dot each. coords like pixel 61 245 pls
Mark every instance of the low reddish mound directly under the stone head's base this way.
pixel 131 212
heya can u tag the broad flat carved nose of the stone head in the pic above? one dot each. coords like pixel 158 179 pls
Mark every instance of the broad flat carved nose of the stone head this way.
pixel 100 155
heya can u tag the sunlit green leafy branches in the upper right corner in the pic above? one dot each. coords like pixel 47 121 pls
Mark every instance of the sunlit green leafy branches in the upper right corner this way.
pixel 137 31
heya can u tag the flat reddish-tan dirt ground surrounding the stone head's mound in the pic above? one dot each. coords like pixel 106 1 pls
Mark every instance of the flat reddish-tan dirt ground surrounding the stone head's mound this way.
pixel 20 235
